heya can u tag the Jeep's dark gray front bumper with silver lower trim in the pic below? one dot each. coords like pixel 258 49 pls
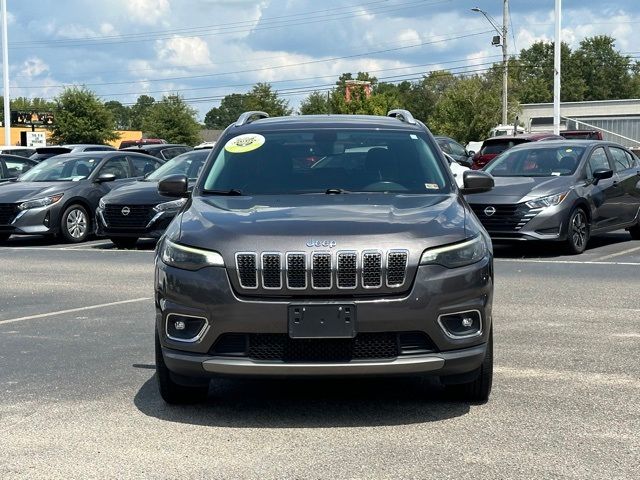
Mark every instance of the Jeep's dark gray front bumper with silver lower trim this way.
pixel 436 291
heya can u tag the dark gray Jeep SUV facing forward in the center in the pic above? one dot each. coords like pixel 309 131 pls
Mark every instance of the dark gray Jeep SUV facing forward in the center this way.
pixel 324 245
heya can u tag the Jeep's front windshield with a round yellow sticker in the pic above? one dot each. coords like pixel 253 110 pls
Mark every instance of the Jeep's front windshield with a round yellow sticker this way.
pixel 328 161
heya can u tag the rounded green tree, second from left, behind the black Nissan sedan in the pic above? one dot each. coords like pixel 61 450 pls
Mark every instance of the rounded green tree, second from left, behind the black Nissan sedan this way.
pixel 174 120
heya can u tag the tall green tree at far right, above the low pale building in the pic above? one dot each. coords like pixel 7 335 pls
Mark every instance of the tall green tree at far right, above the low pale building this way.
pixel 606 72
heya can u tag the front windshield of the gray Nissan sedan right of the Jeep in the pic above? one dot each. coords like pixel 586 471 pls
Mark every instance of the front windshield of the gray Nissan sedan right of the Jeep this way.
pixel 536 162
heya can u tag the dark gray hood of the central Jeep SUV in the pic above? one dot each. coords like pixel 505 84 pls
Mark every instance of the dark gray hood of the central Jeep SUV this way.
pixel 352 221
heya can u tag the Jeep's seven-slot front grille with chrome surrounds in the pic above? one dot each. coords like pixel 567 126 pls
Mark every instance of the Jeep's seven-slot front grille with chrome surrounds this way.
pixel 344 270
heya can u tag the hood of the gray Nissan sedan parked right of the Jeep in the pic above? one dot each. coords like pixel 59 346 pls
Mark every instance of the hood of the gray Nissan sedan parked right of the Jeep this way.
pixel 522 189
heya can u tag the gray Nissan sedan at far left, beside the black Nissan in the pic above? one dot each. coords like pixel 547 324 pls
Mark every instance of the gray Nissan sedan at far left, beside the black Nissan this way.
pixel 60 195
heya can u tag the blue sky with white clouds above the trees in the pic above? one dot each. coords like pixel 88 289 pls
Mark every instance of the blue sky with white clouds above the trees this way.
pixel 205 49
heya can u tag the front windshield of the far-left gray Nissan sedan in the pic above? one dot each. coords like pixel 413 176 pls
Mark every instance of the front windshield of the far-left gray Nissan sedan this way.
pixel 60 169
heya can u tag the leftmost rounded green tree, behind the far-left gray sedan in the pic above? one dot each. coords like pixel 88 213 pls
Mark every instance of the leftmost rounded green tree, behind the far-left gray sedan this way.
pixel 82 118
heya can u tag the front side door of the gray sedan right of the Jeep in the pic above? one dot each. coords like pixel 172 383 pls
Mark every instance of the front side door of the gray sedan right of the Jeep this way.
pixel 605 195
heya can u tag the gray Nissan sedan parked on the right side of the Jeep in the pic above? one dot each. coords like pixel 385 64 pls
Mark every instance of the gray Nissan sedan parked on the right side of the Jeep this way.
pixel 561 190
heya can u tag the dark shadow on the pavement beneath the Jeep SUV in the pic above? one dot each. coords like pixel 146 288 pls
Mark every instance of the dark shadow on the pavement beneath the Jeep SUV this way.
pixel 321 403
